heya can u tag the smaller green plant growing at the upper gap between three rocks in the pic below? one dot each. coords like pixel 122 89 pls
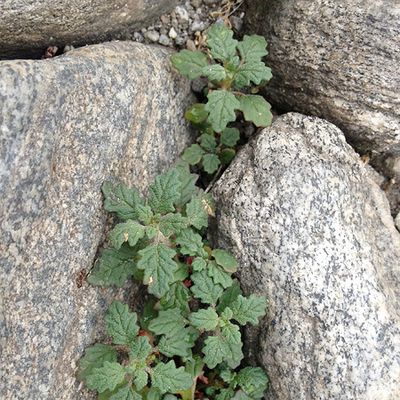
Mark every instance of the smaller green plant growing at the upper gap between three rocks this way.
pixel 231 67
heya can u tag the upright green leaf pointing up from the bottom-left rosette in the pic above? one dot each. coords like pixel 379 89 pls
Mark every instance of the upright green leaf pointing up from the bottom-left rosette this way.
pixel 121 323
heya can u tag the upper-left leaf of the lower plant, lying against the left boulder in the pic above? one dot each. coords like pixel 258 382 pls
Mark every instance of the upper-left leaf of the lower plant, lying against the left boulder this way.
pixel 121 200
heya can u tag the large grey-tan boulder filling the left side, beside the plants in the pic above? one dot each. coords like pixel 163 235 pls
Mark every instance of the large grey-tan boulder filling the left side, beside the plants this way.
pixel 66 125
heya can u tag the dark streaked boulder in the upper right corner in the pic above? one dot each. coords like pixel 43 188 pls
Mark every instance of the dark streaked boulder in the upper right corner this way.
pixel 337 60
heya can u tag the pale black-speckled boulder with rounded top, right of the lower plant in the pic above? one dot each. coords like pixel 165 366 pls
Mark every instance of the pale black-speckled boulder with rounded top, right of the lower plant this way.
pixel 314 233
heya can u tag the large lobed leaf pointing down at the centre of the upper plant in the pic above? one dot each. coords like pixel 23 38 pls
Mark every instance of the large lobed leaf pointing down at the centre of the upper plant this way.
pixel 221 107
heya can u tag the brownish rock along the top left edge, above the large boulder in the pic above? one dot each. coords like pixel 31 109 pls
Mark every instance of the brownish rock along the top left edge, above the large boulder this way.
pixel 29 25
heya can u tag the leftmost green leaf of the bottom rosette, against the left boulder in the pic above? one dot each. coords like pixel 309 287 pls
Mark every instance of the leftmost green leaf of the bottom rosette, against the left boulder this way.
pixel 94 357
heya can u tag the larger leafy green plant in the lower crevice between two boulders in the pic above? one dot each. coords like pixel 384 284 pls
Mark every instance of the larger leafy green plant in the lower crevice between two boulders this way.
pixel 187 343
